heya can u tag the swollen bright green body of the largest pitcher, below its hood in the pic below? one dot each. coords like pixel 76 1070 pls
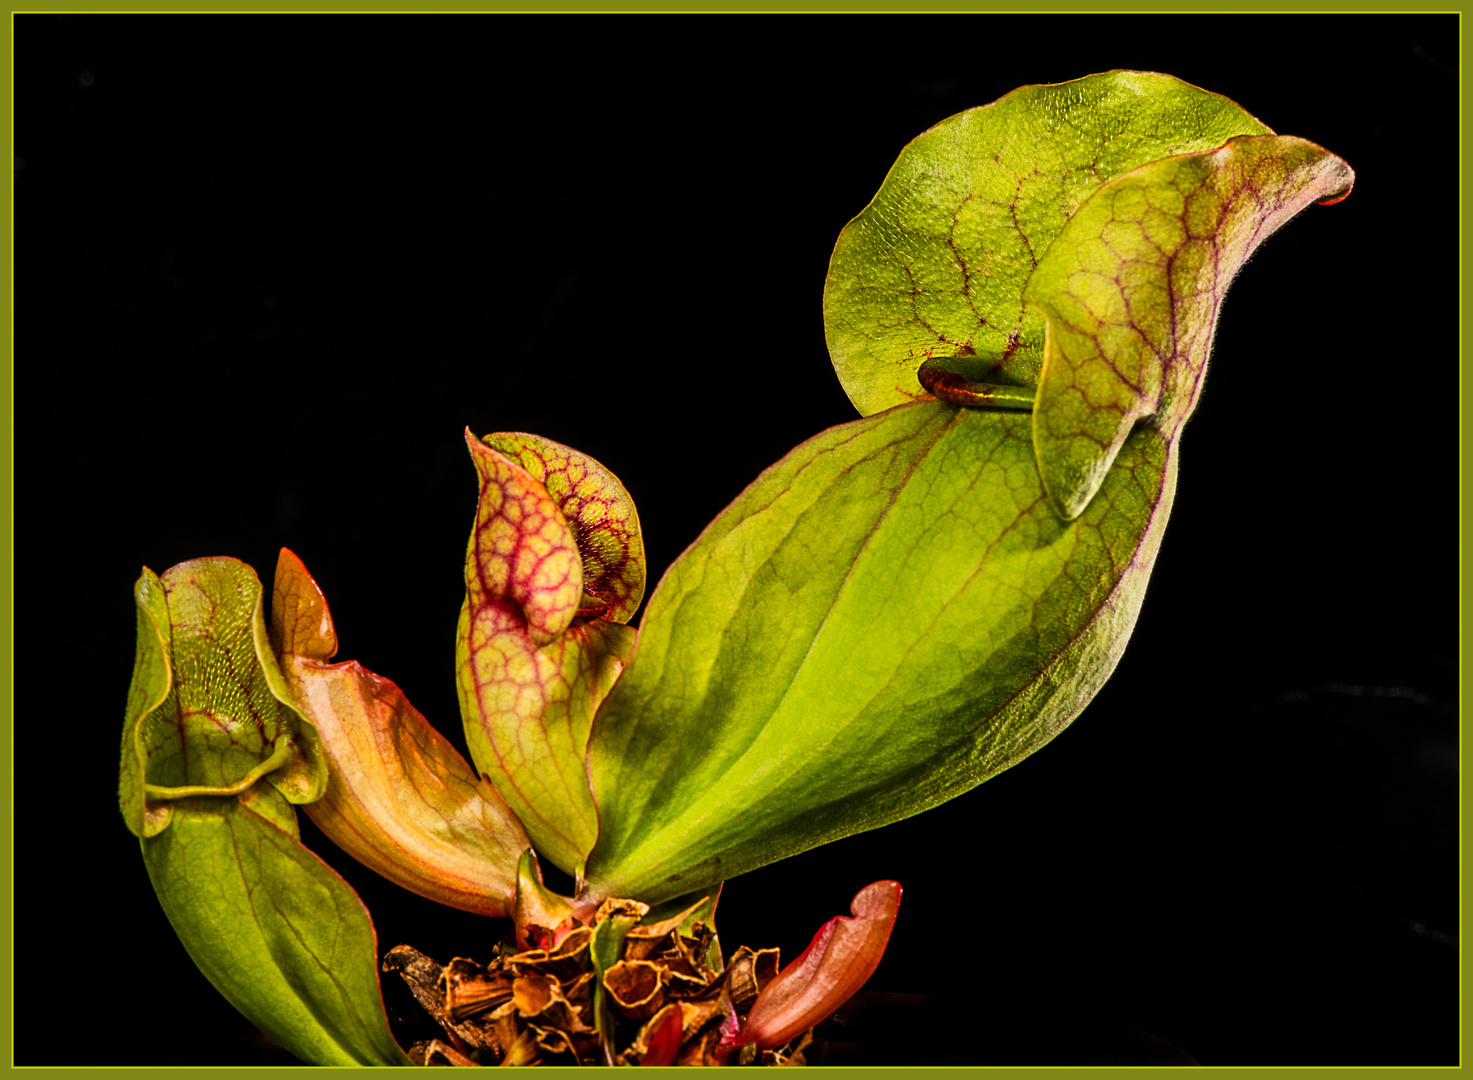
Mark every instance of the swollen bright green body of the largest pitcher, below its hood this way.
pixel 882 621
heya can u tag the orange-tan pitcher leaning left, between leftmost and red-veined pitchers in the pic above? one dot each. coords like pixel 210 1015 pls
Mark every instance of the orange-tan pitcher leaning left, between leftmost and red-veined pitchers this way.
pixel 400 798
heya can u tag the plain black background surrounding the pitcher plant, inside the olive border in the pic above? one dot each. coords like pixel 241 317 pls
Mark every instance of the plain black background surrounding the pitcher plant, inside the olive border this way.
pixel 269 269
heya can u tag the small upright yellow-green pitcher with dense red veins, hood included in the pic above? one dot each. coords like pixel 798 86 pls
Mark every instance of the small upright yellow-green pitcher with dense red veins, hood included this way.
pixel 534 658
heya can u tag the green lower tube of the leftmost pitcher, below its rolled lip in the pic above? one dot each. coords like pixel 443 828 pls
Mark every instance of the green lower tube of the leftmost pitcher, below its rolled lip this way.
pixel 275 929
